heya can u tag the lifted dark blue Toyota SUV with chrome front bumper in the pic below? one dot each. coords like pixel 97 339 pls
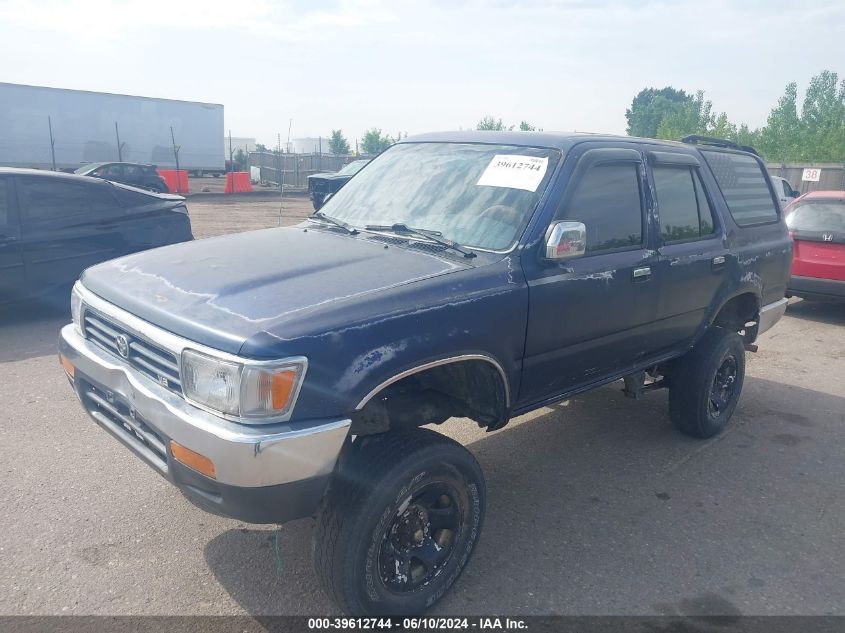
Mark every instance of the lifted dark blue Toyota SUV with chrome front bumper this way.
pixel 285 373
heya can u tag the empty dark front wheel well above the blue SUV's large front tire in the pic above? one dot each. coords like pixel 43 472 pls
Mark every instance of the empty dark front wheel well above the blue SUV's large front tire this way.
pixel 472 389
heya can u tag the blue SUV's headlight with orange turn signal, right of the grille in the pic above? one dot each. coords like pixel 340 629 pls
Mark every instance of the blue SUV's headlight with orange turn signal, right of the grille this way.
pixel 252 391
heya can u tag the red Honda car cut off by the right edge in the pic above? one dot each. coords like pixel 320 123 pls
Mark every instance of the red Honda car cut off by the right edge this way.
pixel 816 223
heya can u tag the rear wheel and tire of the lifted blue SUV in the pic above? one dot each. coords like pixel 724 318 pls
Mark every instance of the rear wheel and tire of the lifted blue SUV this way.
pixel 706 384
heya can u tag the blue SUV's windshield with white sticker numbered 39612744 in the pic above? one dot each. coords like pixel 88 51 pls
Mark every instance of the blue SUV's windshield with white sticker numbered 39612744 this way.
pixel 473 194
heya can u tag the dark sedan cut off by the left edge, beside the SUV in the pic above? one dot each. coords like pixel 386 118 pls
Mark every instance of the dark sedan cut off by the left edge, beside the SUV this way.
pixel 54 225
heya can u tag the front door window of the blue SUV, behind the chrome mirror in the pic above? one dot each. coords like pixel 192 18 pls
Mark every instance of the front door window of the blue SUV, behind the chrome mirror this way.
pixel 607 201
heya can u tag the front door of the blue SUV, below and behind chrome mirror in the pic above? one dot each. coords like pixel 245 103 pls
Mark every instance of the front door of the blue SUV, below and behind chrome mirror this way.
pixel 591 317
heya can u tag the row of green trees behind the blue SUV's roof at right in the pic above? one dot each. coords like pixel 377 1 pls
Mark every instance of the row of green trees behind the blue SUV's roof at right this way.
pixel 816 133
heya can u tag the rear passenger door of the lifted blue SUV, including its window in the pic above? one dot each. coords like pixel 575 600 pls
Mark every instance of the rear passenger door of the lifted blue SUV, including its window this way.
pixel 692 252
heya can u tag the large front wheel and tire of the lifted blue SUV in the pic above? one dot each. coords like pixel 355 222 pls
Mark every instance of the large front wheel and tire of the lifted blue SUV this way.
pixel 399 524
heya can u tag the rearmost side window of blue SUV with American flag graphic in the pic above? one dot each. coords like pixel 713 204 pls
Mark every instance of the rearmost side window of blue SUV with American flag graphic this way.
pixel 744 186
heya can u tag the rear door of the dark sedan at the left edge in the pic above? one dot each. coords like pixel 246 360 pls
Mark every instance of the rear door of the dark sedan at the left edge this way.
pixel 61 234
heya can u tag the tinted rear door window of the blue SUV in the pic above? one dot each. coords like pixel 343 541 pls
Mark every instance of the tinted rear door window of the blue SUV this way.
pixel 685 213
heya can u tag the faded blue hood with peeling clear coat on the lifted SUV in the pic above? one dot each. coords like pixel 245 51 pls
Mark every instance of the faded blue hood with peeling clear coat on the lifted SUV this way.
pixel 224 290
